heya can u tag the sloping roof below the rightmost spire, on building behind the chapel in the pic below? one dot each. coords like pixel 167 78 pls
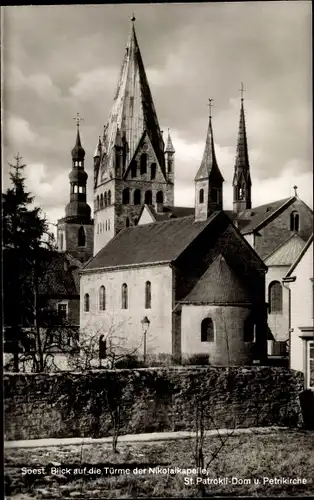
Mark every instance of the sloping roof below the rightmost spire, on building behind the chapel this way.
pixel 251 219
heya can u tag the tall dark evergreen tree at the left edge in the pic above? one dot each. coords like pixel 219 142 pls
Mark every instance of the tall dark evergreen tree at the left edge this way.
pixel 24 228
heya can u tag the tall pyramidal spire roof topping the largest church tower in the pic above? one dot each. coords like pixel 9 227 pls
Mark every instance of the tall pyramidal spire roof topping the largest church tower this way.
pixel 133 110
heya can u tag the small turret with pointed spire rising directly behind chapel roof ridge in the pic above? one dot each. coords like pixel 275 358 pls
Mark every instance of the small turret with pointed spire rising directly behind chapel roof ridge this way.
pixel 208 180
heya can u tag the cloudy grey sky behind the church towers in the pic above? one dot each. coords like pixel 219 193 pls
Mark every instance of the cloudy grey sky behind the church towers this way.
pixel 58 60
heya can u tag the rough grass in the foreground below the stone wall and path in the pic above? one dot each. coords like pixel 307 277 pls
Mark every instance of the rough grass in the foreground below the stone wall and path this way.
pixel 287 454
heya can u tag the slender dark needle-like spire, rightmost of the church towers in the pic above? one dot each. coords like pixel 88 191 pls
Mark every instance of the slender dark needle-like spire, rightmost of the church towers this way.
pixel 242 179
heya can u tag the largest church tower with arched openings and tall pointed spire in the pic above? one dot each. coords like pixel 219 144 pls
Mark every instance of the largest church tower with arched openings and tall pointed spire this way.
pixel 130 166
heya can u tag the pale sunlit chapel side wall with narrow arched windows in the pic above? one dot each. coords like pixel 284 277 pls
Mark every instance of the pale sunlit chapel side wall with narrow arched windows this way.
pixel 126 323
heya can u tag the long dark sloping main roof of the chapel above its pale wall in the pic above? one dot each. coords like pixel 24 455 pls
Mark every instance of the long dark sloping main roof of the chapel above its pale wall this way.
pixel 148 243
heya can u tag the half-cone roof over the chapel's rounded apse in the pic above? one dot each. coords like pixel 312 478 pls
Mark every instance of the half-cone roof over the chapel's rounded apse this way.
pixel 219 285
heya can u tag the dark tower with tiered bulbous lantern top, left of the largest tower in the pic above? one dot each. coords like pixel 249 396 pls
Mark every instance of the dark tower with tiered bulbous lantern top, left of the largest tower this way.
pixel 75 230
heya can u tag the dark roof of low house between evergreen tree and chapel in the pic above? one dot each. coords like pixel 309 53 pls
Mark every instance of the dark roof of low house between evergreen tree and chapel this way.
pixel 61 277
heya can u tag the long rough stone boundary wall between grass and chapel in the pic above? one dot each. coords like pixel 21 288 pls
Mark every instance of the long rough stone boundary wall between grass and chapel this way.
pixel 157 399
